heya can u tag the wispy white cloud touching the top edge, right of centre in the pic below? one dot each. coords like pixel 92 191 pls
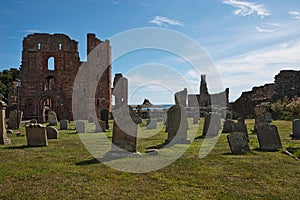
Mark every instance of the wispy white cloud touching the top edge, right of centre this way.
pixel 245 8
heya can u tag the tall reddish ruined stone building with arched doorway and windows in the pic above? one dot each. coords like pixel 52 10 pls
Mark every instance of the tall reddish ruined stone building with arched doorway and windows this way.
pixel 49 66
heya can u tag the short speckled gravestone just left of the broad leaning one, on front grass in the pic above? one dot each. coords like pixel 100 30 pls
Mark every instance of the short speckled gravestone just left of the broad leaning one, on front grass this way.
pixel 238 143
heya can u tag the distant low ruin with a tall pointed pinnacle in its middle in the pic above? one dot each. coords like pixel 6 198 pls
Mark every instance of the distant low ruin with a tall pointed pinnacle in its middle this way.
pixel 205 100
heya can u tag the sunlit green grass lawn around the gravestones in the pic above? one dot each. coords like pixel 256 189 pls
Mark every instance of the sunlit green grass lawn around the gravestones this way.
pixel 66 170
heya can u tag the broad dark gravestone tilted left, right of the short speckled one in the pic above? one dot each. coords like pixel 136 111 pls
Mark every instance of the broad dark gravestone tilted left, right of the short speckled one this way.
pixel 268 137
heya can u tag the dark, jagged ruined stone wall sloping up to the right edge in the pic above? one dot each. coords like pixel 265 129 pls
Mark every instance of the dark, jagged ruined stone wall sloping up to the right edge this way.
pixel 286 84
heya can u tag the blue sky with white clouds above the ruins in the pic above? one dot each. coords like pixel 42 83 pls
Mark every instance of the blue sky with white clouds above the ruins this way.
pixel 249 41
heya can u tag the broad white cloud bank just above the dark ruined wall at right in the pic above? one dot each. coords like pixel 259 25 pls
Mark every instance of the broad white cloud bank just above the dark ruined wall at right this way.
pixel 258 67
